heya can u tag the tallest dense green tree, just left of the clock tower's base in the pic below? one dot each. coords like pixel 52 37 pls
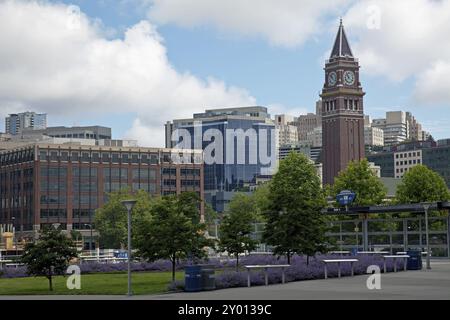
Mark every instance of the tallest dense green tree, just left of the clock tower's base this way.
pixel 294 221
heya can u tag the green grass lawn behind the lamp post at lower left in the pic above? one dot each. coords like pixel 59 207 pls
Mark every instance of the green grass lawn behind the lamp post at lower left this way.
pixel 98 284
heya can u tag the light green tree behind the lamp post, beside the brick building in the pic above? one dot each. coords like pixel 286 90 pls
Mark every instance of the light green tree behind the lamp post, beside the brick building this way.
pixel 111 220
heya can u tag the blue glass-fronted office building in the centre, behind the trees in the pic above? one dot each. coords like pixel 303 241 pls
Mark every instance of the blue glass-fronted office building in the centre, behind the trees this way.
pixel 235 139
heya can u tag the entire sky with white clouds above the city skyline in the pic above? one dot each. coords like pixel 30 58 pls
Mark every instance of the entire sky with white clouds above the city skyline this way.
pixel 135 64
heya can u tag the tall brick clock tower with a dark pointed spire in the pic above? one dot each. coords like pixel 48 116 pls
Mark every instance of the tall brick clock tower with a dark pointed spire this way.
pixel 342 110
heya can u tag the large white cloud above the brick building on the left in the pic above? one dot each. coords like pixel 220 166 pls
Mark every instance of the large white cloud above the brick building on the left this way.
pixel 56 60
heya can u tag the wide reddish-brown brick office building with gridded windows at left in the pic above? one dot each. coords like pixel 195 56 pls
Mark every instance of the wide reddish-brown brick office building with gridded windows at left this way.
pixel 42 184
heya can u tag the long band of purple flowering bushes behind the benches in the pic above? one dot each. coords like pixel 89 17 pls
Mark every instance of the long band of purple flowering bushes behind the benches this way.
pixel 227 277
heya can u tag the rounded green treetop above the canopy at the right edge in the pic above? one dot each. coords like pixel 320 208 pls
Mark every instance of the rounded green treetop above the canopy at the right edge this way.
pixel 421 184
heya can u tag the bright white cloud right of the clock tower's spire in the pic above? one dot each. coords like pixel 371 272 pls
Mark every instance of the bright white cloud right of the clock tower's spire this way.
pixel 409 43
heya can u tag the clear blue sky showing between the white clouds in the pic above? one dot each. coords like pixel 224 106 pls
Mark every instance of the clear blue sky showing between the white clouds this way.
pixel 287 75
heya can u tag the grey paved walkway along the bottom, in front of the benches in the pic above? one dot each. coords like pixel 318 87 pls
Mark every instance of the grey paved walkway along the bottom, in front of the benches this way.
pixel 422 284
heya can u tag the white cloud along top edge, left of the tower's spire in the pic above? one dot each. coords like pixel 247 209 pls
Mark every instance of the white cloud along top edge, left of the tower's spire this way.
pixel 286 23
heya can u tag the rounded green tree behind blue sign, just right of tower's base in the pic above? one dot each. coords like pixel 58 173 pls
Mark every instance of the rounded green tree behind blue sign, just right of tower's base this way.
pixel 359 178
